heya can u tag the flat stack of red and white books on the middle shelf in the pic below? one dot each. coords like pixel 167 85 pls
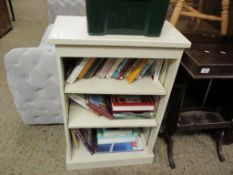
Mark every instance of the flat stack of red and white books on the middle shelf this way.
pixel 133 106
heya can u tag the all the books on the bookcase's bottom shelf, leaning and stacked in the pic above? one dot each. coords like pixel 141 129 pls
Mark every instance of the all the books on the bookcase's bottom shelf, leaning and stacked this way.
pixel 108 140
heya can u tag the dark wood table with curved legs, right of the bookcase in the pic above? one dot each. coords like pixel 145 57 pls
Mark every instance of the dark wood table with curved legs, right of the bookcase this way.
pixel 210 58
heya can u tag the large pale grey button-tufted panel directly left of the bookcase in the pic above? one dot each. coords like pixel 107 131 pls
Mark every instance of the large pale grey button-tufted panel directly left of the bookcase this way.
pixel 32 78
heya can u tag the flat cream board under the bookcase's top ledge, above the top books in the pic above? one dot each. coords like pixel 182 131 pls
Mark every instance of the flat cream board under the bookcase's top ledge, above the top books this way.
pixel 116 52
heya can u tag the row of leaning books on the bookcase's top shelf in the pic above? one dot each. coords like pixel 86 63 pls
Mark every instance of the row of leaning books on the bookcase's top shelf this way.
pixel 120 68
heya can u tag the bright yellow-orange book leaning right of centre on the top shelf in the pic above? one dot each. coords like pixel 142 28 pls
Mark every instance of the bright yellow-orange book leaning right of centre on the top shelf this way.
pixel 136 70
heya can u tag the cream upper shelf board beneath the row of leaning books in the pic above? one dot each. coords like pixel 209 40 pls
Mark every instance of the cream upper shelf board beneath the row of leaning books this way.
pixel 145 86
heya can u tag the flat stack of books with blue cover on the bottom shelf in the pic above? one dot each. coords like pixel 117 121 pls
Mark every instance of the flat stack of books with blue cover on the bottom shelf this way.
pixel 118 140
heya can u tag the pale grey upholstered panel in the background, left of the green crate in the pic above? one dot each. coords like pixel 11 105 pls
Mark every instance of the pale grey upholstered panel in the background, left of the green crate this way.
pixel 65 7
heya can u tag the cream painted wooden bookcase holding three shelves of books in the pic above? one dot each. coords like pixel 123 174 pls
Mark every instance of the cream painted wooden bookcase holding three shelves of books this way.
pixel 71 39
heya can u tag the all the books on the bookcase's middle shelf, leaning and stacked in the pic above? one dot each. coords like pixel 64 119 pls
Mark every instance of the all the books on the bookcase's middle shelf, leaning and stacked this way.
pixel 118 106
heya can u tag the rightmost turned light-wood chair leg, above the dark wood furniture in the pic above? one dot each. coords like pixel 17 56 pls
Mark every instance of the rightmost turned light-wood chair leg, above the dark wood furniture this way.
pixel 225 16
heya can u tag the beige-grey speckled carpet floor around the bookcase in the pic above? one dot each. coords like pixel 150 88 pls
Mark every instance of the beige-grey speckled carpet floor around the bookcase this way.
pixel 40 149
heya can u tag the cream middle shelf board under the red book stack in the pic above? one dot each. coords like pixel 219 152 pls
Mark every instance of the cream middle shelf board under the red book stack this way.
pixel 80 117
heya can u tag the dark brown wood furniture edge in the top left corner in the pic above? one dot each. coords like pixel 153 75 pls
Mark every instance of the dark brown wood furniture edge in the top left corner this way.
pixel 5 22
